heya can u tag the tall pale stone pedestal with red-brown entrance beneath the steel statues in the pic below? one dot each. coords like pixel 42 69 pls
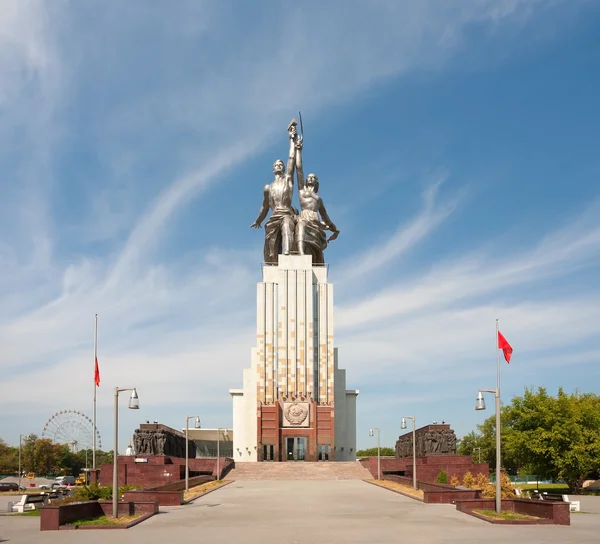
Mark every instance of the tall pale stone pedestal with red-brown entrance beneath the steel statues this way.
pixel 294 404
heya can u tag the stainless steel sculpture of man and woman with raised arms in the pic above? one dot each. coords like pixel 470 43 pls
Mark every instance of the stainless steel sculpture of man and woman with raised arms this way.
pixel 288 231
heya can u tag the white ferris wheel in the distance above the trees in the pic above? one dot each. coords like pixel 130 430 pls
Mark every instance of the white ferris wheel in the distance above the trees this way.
pixel 73 428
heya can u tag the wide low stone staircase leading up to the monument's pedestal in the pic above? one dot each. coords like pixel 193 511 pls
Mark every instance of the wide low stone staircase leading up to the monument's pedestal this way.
pixel 299 471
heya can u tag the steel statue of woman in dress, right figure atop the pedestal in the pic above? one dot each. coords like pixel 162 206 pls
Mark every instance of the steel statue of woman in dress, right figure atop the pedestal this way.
pixel 310 230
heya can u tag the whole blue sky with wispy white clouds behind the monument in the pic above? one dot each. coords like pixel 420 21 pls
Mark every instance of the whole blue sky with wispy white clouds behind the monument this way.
pixel 457 148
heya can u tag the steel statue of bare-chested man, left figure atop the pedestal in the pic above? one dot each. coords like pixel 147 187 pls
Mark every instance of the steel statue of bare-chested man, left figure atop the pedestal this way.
pixel 279 229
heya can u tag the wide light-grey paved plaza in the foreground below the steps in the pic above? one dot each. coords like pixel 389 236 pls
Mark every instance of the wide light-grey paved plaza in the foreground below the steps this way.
pixel 345 511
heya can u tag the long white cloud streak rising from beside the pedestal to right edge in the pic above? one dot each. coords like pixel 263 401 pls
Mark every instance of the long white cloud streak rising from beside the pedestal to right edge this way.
pixel 489 273
